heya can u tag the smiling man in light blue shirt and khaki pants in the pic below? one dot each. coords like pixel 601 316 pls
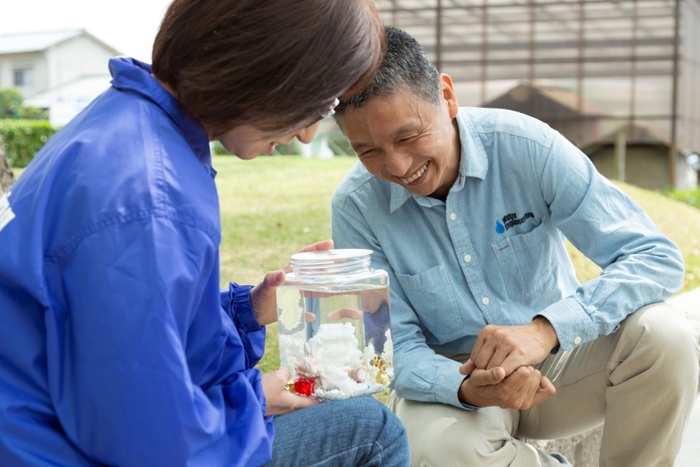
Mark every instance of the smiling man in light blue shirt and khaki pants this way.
pixel 495 339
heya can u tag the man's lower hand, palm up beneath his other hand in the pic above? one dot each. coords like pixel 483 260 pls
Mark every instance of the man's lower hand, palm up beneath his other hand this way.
pixel 524 389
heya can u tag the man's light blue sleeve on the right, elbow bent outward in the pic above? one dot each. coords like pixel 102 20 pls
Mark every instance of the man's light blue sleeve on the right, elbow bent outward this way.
pixel 639 264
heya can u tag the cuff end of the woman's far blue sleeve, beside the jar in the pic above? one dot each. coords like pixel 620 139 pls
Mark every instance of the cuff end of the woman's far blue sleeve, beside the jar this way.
pixel 236 302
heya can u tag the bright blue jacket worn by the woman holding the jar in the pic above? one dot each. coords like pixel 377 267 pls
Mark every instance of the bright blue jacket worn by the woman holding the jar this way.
pixel 116 345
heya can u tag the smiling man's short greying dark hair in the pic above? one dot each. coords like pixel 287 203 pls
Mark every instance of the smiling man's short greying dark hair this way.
pixel 405 67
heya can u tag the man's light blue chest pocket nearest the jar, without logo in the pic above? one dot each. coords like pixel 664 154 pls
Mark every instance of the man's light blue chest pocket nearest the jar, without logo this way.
pixel 431 295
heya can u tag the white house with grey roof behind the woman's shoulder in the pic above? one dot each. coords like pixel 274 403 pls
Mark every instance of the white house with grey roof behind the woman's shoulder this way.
pixel 61 71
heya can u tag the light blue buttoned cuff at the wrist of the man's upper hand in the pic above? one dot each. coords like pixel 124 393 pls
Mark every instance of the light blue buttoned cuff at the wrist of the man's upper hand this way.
pixel 573 325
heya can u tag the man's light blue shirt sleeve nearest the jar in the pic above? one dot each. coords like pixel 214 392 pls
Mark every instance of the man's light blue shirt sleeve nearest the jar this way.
pixel 421 374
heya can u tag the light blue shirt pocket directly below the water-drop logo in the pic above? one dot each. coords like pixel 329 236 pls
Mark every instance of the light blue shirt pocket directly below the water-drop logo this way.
pixel 525 260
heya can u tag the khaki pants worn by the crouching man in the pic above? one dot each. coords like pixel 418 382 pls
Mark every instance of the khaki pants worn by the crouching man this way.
pixel 640 382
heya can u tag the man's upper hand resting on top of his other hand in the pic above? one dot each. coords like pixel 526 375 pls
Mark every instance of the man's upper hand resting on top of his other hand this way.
pixel 511 347
